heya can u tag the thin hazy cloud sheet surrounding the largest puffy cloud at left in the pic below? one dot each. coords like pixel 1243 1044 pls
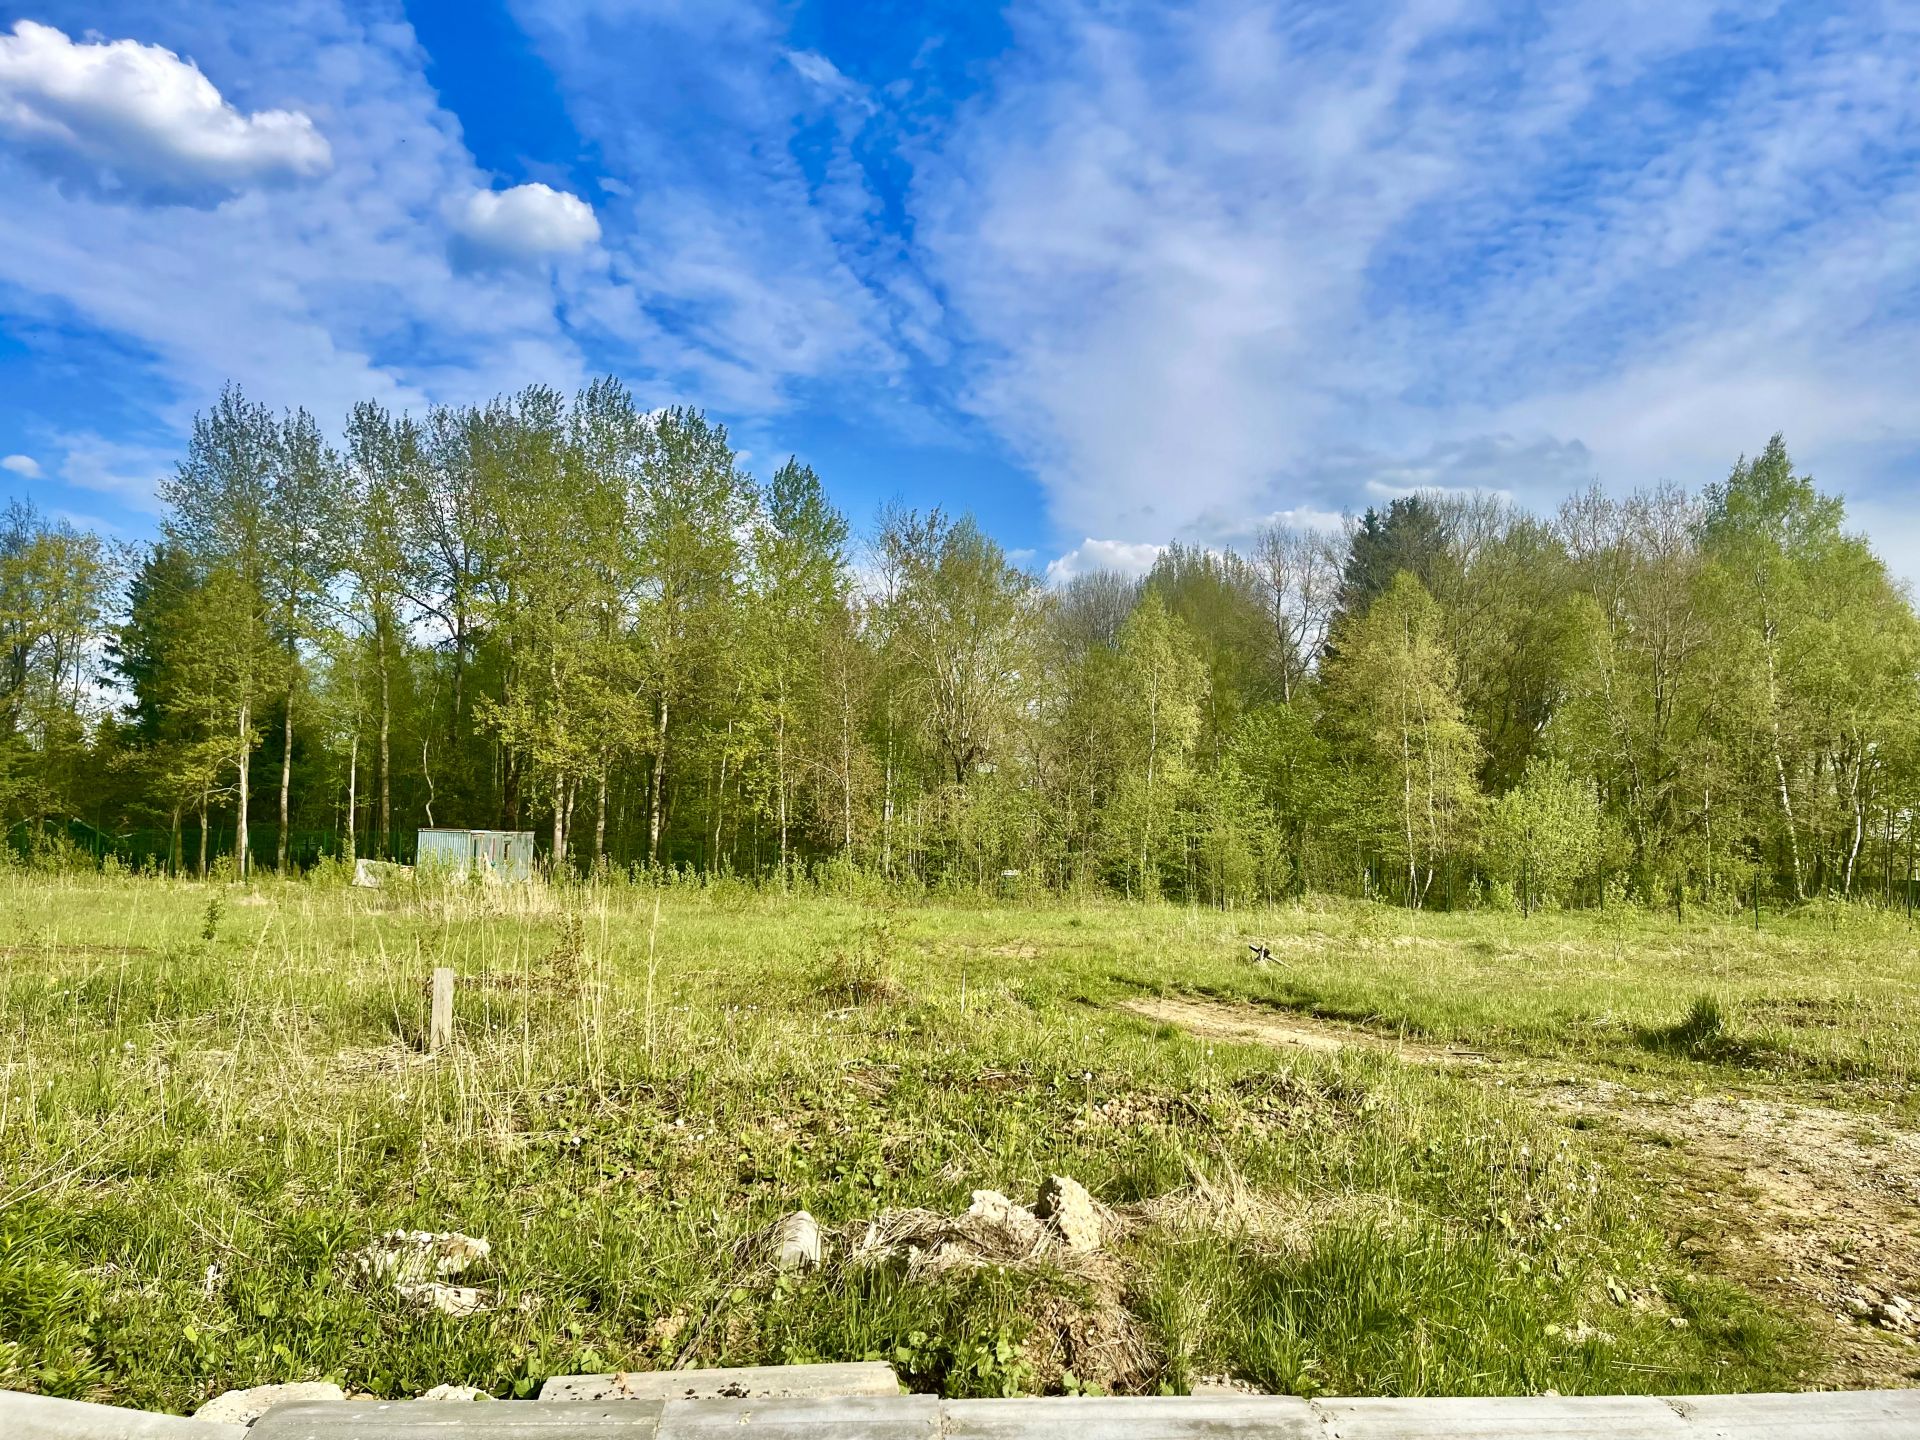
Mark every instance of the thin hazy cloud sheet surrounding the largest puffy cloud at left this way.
pixel 341 295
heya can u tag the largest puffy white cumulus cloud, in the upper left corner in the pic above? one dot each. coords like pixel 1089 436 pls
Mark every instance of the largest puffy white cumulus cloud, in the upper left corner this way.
pixel 139 120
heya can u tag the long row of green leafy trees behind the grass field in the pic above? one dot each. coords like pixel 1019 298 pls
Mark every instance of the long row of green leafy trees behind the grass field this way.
pixel 587 619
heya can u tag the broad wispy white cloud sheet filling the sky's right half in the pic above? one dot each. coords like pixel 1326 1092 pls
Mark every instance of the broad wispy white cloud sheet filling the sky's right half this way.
pixel 1232 260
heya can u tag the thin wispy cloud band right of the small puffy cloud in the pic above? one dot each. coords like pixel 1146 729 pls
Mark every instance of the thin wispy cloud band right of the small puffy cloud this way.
pixel 771 268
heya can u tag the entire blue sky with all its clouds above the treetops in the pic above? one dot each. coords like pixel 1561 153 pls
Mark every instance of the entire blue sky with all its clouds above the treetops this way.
pixel 1105 276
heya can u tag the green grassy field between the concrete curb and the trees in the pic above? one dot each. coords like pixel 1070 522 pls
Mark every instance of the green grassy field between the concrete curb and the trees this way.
pixel 1410 1155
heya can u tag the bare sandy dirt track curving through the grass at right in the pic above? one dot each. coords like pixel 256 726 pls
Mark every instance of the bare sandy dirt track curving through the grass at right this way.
pixel 1812 1209
